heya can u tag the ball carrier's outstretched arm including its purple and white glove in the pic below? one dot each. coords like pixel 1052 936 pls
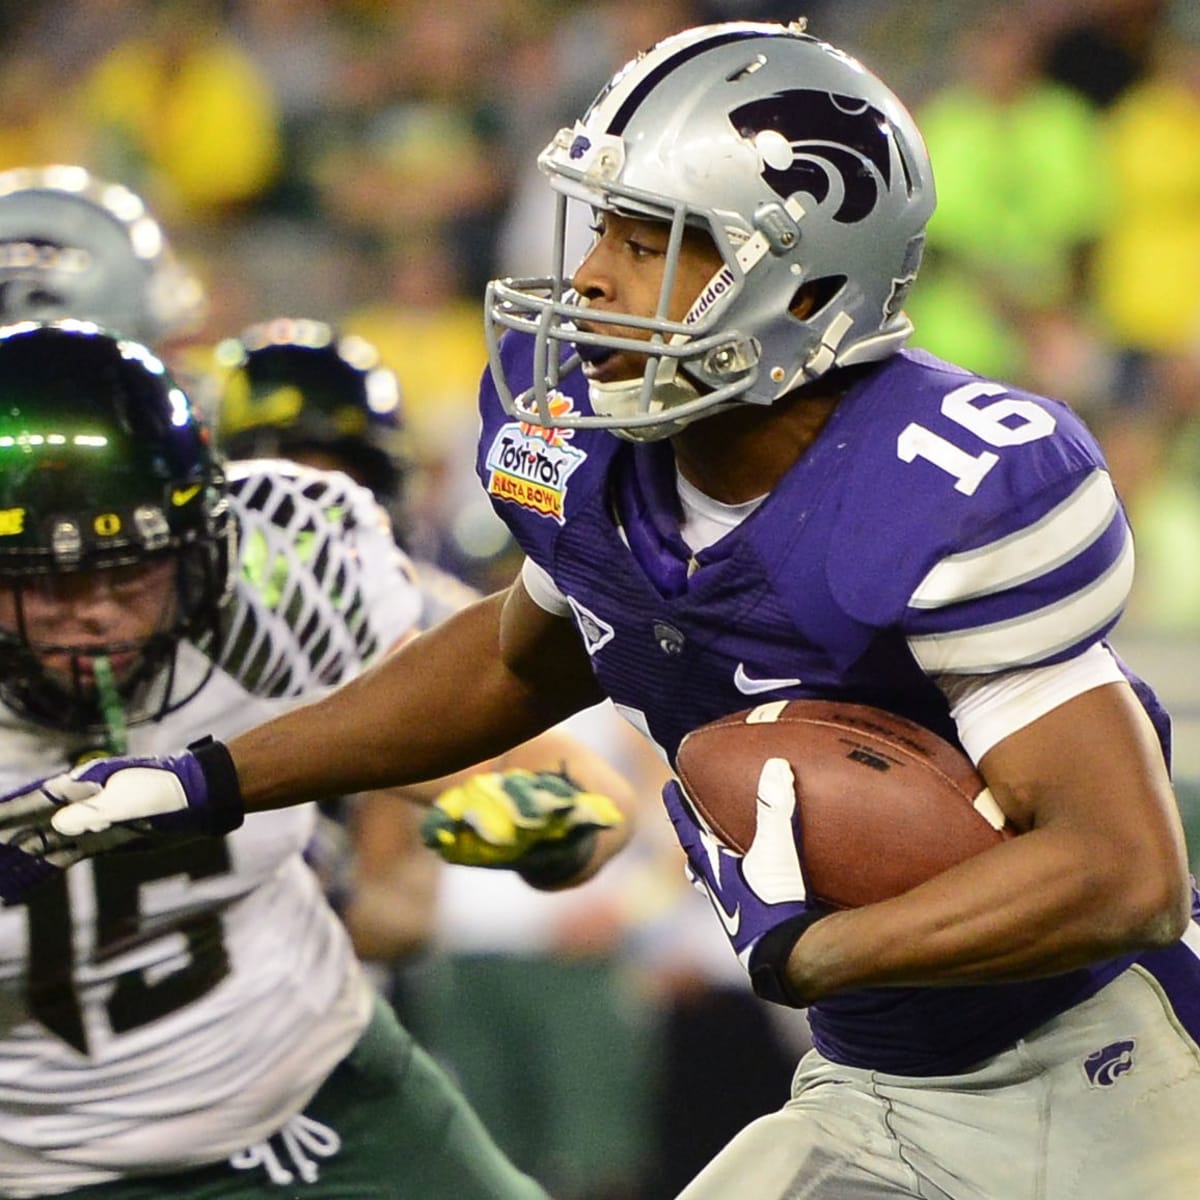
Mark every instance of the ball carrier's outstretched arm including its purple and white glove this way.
pixel 491 677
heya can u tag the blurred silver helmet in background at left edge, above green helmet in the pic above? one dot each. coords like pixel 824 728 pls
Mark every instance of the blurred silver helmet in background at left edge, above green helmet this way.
pixel 76 247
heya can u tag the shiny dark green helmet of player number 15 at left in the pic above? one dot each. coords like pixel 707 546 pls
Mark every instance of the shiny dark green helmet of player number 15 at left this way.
pixel 104 469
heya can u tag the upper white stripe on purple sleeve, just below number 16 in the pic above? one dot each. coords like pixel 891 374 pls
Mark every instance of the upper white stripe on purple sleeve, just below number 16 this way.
pixel 1065 532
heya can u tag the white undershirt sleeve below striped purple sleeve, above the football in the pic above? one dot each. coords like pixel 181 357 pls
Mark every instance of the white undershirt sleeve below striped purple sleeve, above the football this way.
pixel 988 709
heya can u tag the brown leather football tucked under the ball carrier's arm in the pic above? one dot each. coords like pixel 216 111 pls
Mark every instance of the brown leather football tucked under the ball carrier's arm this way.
pixel 883 803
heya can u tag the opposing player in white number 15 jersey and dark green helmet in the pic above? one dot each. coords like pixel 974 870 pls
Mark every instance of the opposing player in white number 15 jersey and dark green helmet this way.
pixel 190 1021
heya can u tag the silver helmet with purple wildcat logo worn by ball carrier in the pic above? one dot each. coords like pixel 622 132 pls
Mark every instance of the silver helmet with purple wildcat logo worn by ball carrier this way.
pixel 809 176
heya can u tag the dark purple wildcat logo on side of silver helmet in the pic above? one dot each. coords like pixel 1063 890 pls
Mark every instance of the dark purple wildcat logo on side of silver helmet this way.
pixel 807 136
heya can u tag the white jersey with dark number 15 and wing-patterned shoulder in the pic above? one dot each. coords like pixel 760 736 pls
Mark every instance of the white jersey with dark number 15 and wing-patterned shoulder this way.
pixel 171 1007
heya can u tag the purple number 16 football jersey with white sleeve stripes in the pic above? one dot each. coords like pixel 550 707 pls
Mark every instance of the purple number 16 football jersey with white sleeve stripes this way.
pixel 941 524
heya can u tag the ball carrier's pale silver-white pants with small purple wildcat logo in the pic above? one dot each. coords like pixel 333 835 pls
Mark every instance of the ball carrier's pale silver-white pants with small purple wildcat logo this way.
pixel 1031 1124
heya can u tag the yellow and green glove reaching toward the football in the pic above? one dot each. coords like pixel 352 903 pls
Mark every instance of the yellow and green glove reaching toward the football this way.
pixel 538 824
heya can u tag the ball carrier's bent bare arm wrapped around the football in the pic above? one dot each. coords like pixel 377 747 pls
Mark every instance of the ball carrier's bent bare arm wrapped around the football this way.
pixel 1099 868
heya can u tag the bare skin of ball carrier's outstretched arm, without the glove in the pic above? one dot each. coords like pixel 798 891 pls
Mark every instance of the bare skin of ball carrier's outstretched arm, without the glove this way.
pixel 443 703
